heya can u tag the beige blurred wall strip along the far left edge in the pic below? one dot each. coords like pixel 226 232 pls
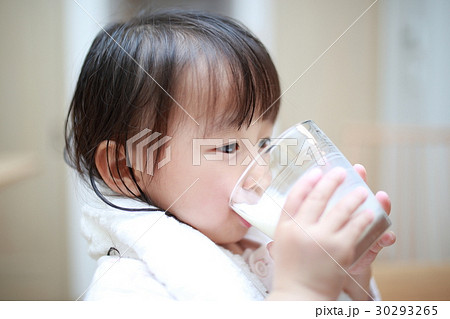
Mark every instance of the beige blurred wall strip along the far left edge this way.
pixel 32 219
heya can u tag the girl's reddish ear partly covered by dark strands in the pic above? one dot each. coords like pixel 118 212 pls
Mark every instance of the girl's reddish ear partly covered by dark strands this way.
pixel 114 170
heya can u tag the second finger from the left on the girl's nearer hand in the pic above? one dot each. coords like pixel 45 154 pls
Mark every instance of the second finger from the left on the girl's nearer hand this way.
pixel 316 201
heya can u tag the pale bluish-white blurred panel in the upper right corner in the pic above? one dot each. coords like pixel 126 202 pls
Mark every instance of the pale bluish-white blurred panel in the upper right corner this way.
pixel 415 61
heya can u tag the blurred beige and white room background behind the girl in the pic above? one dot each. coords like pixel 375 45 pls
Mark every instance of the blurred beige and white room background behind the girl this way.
pixel 380 92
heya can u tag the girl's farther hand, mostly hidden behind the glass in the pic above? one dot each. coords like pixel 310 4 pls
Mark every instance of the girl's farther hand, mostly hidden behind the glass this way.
pixel 361 271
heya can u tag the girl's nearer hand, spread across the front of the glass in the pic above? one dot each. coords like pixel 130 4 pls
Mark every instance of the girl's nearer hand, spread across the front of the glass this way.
pixel 309 249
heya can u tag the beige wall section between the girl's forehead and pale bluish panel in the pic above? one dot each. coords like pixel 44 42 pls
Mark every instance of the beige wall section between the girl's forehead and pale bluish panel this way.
pixel 340 88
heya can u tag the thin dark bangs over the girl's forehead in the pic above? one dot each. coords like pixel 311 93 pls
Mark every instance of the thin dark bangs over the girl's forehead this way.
pixel 229 83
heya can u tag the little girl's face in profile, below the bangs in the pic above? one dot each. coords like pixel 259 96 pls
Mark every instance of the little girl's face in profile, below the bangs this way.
pixel 195 185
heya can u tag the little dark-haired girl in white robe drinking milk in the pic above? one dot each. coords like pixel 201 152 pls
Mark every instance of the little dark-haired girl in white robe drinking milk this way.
pixel 161 109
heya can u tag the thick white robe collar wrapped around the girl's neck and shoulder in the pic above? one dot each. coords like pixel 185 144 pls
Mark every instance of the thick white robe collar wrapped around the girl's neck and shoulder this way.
pixel 189 264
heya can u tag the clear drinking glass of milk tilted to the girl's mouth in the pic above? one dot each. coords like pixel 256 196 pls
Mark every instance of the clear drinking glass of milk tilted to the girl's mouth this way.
pixel 261 192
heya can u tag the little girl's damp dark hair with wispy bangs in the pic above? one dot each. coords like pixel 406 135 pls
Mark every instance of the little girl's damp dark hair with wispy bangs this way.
pixel 133 71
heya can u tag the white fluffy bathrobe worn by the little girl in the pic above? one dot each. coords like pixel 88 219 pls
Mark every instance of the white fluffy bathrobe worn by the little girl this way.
pixel 169 258
